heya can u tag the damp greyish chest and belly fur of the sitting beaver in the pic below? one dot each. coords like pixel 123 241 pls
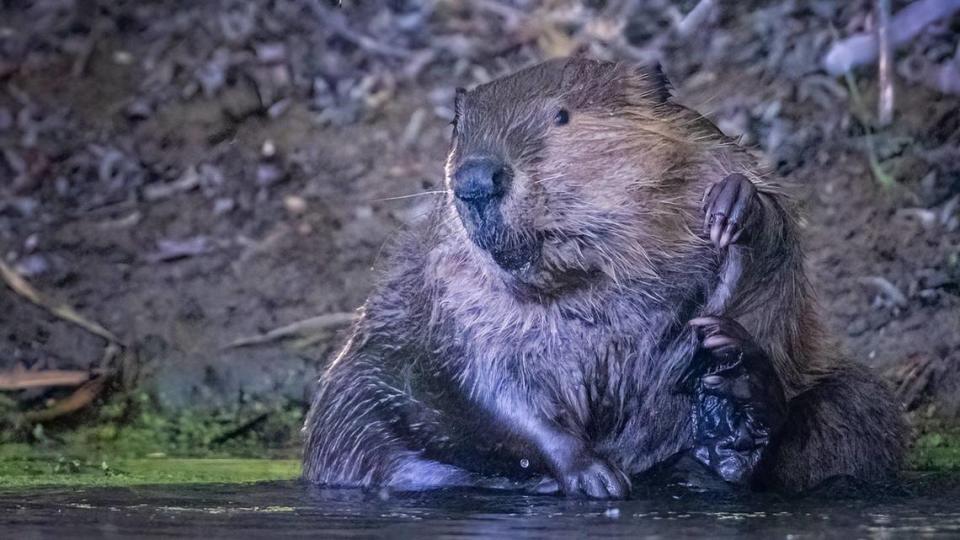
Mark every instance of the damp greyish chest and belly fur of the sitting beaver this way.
pixel 604 362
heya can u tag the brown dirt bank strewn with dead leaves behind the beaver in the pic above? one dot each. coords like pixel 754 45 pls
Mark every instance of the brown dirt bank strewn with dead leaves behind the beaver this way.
pixel 189 174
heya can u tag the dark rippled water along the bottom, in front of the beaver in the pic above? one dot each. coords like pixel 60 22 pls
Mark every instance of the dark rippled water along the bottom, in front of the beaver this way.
pixel 928 506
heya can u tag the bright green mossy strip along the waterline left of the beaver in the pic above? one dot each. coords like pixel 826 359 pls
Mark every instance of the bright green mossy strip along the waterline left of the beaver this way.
pixel 127 440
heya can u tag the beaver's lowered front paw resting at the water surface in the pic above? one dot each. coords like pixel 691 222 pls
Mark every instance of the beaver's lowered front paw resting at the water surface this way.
pixel 588 476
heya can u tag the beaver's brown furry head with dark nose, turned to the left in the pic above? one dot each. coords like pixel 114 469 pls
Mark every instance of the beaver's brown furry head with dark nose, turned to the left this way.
pixel 561 172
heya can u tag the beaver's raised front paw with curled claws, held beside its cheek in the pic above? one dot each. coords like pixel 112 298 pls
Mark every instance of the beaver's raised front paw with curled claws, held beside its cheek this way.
pixel 728 205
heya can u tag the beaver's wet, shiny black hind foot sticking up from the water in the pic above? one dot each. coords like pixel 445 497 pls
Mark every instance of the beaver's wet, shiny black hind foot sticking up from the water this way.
pixel 739 401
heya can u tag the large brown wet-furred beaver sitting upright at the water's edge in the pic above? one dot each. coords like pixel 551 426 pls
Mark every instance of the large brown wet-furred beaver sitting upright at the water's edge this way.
pixel 609 286
